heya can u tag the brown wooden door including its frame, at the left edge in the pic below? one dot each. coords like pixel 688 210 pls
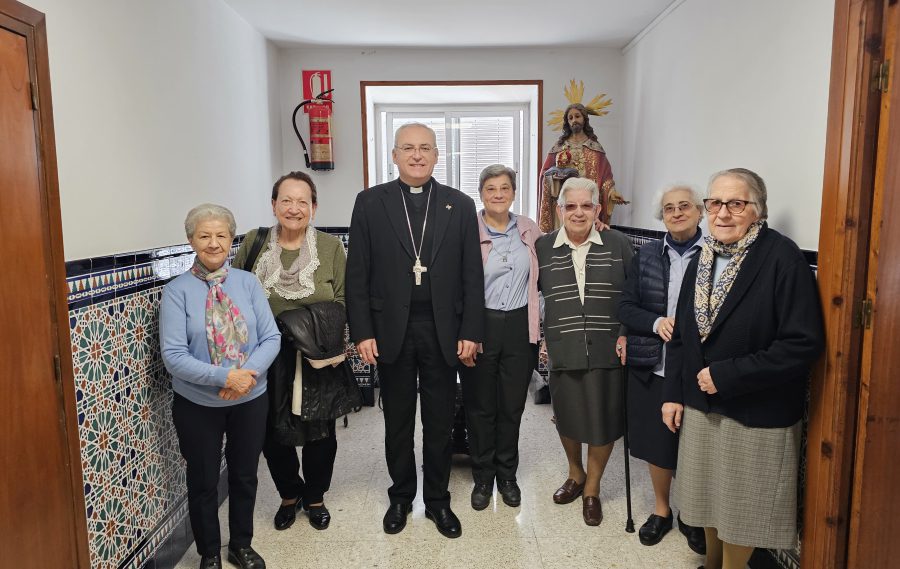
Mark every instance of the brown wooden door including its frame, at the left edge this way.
pixel 41 505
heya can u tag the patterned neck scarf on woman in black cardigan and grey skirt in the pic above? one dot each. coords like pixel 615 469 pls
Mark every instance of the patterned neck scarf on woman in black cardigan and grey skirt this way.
pixel 708 298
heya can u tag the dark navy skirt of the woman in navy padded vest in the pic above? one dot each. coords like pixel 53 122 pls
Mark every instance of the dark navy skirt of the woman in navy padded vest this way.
pixel 648 437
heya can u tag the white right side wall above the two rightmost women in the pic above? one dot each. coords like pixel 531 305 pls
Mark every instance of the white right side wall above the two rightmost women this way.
pixel 725 83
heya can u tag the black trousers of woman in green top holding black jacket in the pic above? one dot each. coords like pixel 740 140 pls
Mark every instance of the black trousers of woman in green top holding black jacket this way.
pixel 318 466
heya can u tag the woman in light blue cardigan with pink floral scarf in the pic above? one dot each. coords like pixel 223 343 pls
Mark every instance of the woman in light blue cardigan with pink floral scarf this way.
pixel 218 337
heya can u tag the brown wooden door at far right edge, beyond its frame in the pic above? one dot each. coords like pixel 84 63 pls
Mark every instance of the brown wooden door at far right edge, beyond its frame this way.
pixel 874 523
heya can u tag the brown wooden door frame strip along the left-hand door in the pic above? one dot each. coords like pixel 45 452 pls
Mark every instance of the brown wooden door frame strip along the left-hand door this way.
pixel 31 24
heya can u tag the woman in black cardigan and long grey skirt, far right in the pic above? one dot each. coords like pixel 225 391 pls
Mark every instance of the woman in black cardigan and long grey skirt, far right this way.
pixel 747 329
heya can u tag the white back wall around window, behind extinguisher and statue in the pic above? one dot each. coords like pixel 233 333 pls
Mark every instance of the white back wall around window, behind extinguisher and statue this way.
pixel 600 69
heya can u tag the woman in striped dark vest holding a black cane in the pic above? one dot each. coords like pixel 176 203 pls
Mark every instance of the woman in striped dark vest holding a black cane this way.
pixel 582 275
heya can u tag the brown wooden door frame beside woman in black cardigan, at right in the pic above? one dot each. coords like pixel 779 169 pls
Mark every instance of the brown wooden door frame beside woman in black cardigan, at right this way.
pixel 850 151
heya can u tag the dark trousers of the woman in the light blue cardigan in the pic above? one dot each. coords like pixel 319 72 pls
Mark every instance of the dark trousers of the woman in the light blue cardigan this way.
pixel 200 430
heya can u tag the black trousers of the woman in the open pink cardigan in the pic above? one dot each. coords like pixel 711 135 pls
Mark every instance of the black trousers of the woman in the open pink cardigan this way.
pixel 494 392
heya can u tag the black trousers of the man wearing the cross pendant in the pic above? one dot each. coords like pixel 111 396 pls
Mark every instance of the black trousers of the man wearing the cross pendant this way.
pixel 421 364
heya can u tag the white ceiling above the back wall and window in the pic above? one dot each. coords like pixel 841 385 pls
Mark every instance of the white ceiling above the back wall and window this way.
pixel 450 23
